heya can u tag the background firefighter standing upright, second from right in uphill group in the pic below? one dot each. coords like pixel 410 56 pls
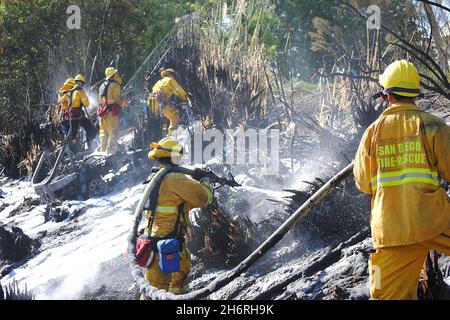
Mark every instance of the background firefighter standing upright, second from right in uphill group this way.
pixel 110 110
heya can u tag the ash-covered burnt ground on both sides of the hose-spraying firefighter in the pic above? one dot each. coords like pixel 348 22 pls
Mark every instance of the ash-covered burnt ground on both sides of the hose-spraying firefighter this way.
pixel 80 253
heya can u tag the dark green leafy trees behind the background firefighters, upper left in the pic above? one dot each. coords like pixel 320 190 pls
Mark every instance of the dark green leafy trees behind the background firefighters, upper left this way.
pixel 39 51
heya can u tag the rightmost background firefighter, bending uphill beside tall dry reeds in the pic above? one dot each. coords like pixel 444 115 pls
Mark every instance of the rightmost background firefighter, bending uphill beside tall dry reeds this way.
pixel 160 99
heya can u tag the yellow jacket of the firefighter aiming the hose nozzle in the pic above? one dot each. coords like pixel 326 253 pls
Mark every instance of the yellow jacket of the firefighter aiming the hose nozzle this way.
pixel 177 188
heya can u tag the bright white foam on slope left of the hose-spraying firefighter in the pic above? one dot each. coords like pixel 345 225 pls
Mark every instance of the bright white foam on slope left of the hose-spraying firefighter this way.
pixel 69 261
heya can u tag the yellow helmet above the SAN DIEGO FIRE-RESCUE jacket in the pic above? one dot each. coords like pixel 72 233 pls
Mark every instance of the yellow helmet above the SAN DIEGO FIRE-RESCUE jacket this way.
pixel 401 78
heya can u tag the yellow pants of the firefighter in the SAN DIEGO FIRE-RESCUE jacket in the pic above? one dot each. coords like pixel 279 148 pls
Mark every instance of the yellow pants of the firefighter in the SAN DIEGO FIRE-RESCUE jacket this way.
pixel 394 271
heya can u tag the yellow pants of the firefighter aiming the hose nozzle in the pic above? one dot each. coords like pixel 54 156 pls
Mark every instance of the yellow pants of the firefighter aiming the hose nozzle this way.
pixel 172 282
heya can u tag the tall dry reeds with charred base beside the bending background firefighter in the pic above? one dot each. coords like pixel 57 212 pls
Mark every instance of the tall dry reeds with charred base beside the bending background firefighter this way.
pixel 222 66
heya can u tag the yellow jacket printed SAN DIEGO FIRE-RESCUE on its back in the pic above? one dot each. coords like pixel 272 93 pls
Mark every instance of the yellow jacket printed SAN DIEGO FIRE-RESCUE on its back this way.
pixel 400 161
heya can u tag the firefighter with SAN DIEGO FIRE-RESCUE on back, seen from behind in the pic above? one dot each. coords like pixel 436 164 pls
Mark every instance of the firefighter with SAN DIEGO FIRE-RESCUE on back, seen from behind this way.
pixel 400 161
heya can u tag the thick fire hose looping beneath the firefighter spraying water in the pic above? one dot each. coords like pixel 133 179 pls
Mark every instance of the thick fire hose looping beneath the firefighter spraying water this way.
pixel 158 294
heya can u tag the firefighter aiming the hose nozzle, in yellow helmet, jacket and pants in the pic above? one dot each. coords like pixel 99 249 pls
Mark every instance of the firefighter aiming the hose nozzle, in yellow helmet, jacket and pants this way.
pixel 176 189
